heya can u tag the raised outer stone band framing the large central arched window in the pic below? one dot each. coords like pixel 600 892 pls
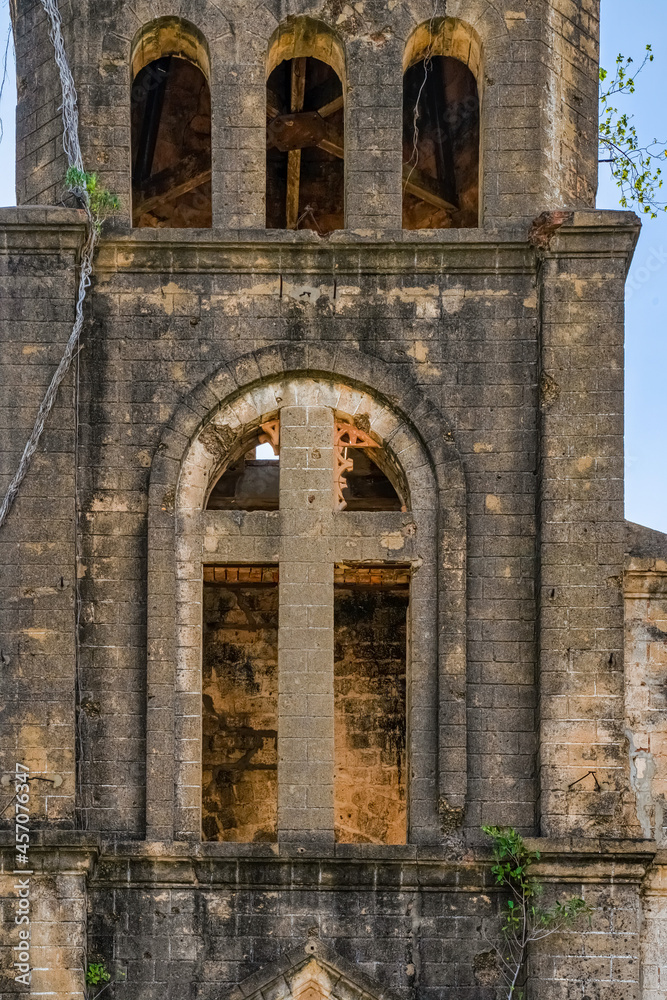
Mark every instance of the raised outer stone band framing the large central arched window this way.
pixel 419 425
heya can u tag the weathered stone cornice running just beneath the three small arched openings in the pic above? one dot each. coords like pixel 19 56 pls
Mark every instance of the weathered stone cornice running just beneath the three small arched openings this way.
pixel 35 229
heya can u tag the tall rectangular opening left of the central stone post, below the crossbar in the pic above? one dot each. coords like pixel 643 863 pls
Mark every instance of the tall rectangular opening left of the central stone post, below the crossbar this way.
pixel 240 708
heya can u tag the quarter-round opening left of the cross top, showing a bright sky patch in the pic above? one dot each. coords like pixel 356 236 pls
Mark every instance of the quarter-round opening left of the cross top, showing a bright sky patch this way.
pixel 251 481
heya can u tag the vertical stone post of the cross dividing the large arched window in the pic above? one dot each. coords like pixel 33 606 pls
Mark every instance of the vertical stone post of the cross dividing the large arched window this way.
pixel 305 645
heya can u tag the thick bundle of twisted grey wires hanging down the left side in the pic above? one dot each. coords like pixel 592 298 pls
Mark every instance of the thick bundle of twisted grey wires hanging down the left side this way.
pixel 72 147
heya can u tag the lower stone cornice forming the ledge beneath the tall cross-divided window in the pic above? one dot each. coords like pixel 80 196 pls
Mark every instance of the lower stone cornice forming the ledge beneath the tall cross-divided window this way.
pixel 367 867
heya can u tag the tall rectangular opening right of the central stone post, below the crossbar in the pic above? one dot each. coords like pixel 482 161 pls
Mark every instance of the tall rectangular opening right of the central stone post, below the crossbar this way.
pixel 370 780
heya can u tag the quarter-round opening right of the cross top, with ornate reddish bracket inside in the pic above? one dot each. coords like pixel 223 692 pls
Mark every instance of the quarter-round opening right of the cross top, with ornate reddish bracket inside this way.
pixel 361 481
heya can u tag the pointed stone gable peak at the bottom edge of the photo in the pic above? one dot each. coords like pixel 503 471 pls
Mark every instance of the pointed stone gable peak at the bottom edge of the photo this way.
pixel 311 972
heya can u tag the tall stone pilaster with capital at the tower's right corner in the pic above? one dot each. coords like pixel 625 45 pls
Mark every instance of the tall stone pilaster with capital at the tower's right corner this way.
pixel 583 754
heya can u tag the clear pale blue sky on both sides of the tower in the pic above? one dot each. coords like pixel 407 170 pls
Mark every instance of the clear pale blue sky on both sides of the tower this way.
pixel 646 344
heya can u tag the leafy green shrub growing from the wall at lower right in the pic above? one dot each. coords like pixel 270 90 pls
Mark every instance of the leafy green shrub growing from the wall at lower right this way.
pixel 525 921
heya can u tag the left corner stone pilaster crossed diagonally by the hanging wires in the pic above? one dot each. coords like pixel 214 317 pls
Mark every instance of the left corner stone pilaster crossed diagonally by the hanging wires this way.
pixel 37 541
